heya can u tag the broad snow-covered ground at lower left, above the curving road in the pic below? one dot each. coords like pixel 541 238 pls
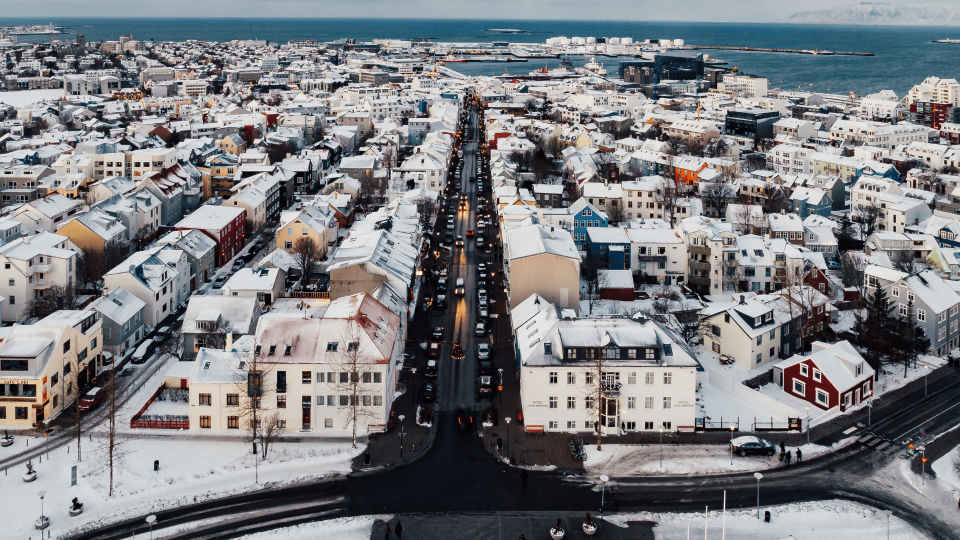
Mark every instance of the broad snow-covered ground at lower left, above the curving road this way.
pixel 188 470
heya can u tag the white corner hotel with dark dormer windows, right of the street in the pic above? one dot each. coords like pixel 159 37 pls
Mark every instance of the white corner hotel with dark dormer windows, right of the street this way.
pixel 627 374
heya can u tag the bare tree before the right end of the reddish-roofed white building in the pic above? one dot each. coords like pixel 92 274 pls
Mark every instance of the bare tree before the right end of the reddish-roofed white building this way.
pixel 355 384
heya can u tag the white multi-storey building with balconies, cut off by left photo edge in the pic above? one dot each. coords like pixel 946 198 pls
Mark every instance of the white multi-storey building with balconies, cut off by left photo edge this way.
pixel 31 265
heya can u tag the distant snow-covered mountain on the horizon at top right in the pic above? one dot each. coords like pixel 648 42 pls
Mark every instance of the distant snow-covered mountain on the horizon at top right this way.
pixel 874 13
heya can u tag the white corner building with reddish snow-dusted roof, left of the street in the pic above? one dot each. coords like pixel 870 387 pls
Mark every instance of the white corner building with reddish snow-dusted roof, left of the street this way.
pixel 312 362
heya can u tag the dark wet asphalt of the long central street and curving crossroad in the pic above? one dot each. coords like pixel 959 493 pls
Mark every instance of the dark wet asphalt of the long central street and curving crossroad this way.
pixel 458 474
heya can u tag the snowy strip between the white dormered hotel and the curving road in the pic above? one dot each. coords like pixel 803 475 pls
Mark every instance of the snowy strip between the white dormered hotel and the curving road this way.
pixel 620 460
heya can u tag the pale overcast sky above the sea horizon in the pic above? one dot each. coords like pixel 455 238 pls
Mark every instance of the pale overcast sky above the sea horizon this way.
pixel 676 10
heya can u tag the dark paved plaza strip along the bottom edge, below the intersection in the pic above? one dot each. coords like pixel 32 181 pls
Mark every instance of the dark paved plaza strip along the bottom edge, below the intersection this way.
pixel 506 526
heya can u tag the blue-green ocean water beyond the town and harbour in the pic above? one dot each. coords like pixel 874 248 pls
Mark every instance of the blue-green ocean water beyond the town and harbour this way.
pixel 903 55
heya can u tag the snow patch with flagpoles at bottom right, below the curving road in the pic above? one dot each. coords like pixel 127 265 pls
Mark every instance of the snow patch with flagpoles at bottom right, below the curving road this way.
pixel 801 521
